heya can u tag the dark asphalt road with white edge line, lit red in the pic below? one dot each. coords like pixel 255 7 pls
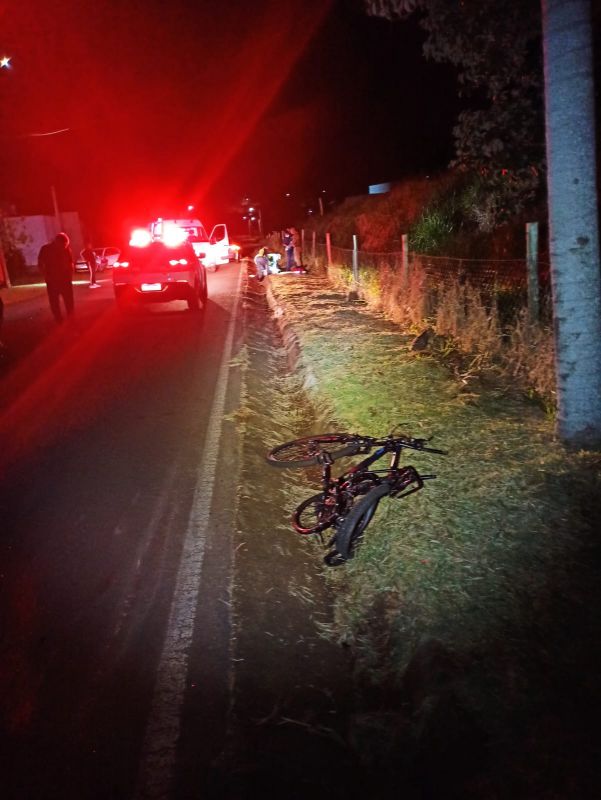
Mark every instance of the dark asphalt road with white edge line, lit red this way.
pixel 118 468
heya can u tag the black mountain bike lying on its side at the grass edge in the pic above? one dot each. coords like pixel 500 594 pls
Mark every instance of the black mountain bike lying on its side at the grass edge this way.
pixel 348 503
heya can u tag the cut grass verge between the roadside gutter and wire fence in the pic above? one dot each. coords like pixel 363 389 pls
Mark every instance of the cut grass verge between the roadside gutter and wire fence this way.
pixel 496 562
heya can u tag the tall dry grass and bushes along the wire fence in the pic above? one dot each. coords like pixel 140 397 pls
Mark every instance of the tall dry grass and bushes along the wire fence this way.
pixel 465 279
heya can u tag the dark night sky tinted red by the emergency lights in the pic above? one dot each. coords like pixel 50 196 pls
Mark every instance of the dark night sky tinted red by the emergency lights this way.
pixel 168 103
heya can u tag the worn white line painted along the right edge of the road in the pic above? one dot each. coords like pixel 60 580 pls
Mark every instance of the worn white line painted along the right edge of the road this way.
pixel 159 750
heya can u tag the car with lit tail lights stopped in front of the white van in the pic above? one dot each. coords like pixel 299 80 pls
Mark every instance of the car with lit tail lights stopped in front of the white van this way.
pixel 154 272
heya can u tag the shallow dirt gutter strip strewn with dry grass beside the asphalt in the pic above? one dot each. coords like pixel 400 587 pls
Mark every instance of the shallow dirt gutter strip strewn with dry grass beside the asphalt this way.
pixel 291 684
